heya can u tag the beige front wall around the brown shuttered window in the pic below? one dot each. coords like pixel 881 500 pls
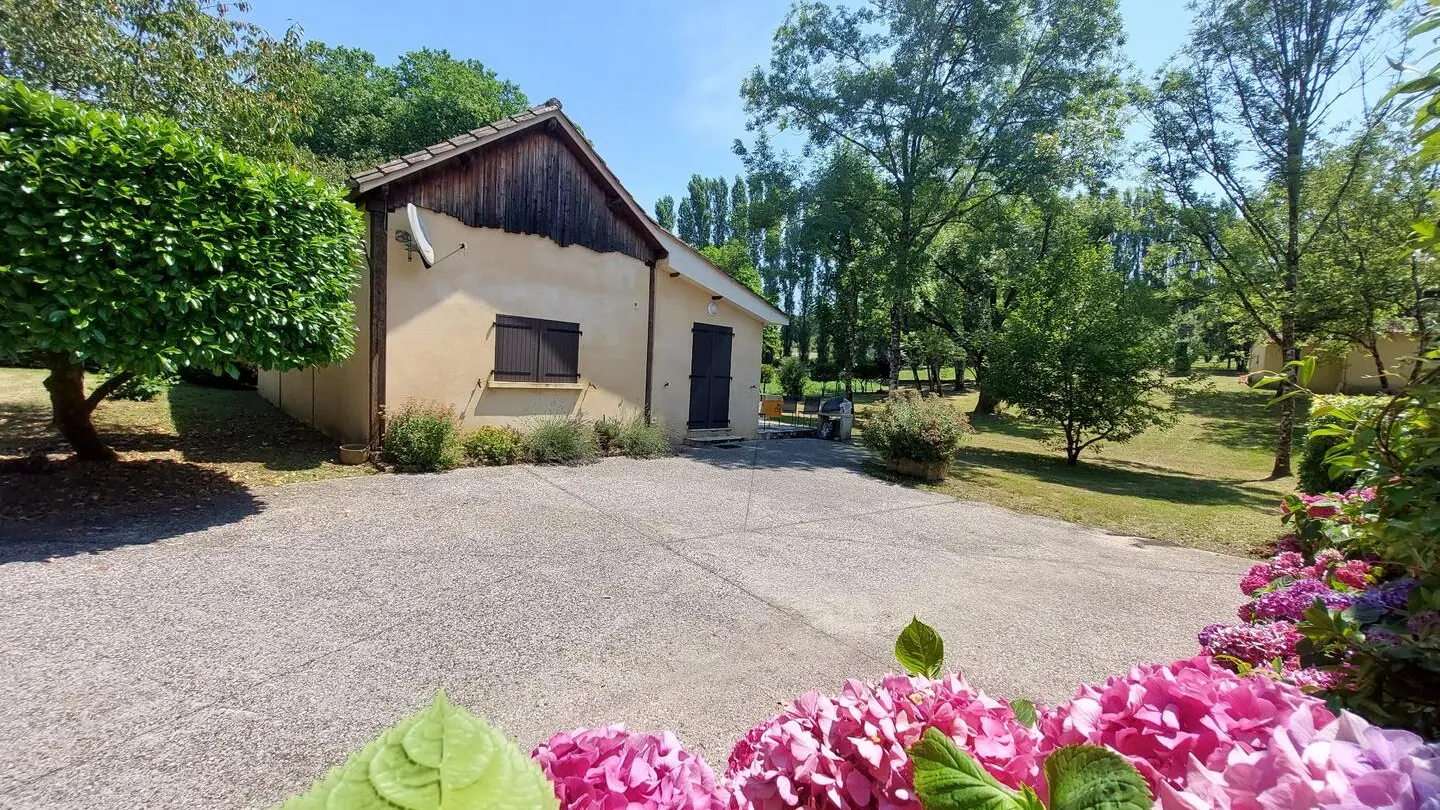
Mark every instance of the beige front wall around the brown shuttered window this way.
pixel 441 344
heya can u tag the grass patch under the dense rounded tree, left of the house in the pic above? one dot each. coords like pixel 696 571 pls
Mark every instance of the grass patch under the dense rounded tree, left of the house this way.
pixel 186 443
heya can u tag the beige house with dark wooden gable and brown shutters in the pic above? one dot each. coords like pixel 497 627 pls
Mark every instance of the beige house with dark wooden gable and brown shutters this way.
pixel 551 293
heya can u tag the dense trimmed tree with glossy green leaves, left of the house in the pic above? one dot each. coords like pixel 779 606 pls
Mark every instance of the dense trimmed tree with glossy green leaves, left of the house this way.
pixel 194 257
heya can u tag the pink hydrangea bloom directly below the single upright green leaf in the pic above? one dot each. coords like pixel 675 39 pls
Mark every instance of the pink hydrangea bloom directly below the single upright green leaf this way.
pixel 849 752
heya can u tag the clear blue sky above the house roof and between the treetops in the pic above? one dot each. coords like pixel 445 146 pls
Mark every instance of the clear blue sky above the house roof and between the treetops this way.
pixel 654 84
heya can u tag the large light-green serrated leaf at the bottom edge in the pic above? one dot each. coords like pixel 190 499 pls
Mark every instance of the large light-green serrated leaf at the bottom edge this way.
pixel 443 759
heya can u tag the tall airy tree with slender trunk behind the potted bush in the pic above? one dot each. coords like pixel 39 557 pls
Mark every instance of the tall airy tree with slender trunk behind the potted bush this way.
pixel 953 103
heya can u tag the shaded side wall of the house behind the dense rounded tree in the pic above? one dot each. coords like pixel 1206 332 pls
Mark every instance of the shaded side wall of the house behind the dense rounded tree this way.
pixel 333 400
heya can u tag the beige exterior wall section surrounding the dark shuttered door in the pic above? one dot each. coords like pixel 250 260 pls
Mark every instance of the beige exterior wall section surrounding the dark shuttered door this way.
pixel 679 306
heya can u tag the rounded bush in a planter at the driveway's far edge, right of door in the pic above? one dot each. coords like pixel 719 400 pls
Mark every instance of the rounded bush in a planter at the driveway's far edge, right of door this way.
pixel 914 427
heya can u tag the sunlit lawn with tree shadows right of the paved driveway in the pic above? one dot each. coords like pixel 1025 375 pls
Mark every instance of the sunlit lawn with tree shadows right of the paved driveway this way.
pixel 1200 484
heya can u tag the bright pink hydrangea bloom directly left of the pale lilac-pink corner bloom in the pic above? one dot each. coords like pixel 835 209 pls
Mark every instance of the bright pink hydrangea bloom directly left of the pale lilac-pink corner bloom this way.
pixel 1161 717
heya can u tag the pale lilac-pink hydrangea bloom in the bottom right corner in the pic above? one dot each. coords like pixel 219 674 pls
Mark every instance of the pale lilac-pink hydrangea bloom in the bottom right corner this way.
pixel 1343 766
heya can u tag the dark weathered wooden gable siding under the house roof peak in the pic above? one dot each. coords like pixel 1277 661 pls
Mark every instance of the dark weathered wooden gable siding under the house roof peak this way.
pixel 529 184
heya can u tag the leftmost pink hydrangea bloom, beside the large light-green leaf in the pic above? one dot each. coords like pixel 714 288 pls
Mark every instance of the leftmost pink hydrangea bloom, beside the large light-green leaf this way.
pixel 613 769
